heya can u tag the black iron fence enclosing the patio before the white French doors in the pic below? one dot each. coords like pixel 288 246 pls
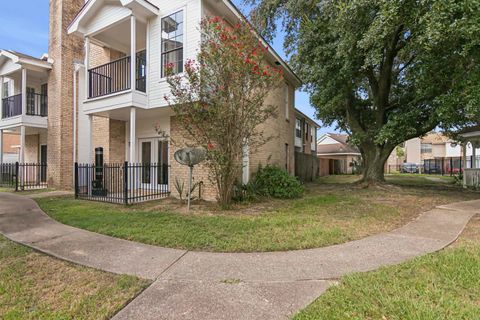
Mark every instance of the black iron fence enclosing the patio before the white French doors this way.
pixel 123 183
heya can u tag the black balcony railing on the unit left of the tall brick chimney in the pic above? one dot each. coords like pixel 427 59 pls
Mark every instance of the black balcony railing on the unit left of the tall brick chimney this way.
pixel 37 105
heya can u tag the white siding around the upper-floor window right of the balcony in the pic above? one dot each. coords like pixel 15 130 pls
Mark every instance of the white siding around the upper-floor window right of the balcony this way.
pixel 158 87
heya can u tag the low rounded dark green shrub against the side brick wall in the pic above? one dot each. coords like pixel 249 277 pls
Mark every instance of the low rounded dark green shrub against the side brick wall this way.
pixel 272 181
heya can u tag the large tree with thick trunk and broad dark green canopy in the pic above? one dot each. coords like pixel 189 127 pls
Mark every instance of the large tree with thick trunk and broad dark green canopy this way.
pixel 383 70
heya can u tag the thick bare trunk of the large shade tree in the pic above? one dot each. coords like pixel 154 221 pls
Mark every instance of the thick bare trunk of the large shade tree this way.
pixel 374 158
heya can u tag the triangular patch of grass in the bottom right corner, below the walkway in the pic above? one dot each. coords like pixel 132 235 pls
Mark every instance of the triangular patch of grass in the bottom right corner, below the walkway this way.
pixel 443 285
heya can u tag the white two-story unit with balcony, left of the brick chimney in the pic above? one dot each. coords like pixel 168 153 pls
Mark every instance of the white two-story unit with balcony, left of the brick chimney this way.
pixel 24 103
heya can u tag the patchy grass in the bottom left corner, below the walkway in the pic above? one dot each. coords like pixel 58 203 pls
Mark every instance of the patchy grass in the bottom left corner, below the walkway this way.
pixel 36 286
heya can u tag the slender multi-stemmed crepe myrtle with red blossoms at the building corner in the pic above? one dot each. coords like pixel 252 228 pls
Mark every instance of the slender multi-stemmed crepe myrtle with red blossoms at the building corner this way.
pixel 220 98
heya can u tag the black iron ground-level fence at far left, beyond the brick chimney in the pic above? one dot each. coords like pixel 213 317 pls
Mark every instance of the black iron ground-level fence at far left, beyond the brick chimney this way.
pixel 23 176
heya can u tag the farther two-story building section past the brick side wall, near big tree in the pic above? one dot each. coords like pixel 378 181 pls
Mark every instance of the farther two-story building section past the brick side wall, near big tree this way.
pixel 305 133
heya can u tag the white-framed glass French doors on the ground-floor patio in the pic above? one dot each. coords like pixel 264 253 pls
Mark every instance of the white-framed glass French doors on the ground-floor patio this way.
pixel 154 160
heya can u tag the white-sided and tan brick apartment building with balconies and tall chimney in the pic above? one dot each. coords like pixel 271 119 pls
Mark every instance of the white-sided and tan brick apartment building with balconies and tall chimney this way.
pixel 88 76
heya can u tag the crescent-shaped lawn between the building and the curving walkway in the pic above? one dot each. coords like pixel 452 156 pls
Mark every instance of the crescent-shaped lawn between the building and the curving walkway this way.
pixel 330 213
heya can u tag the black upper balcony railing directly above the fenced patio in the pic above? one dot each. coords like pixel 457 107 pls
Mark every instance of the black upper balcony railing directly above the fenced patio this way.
pixel 114 76
